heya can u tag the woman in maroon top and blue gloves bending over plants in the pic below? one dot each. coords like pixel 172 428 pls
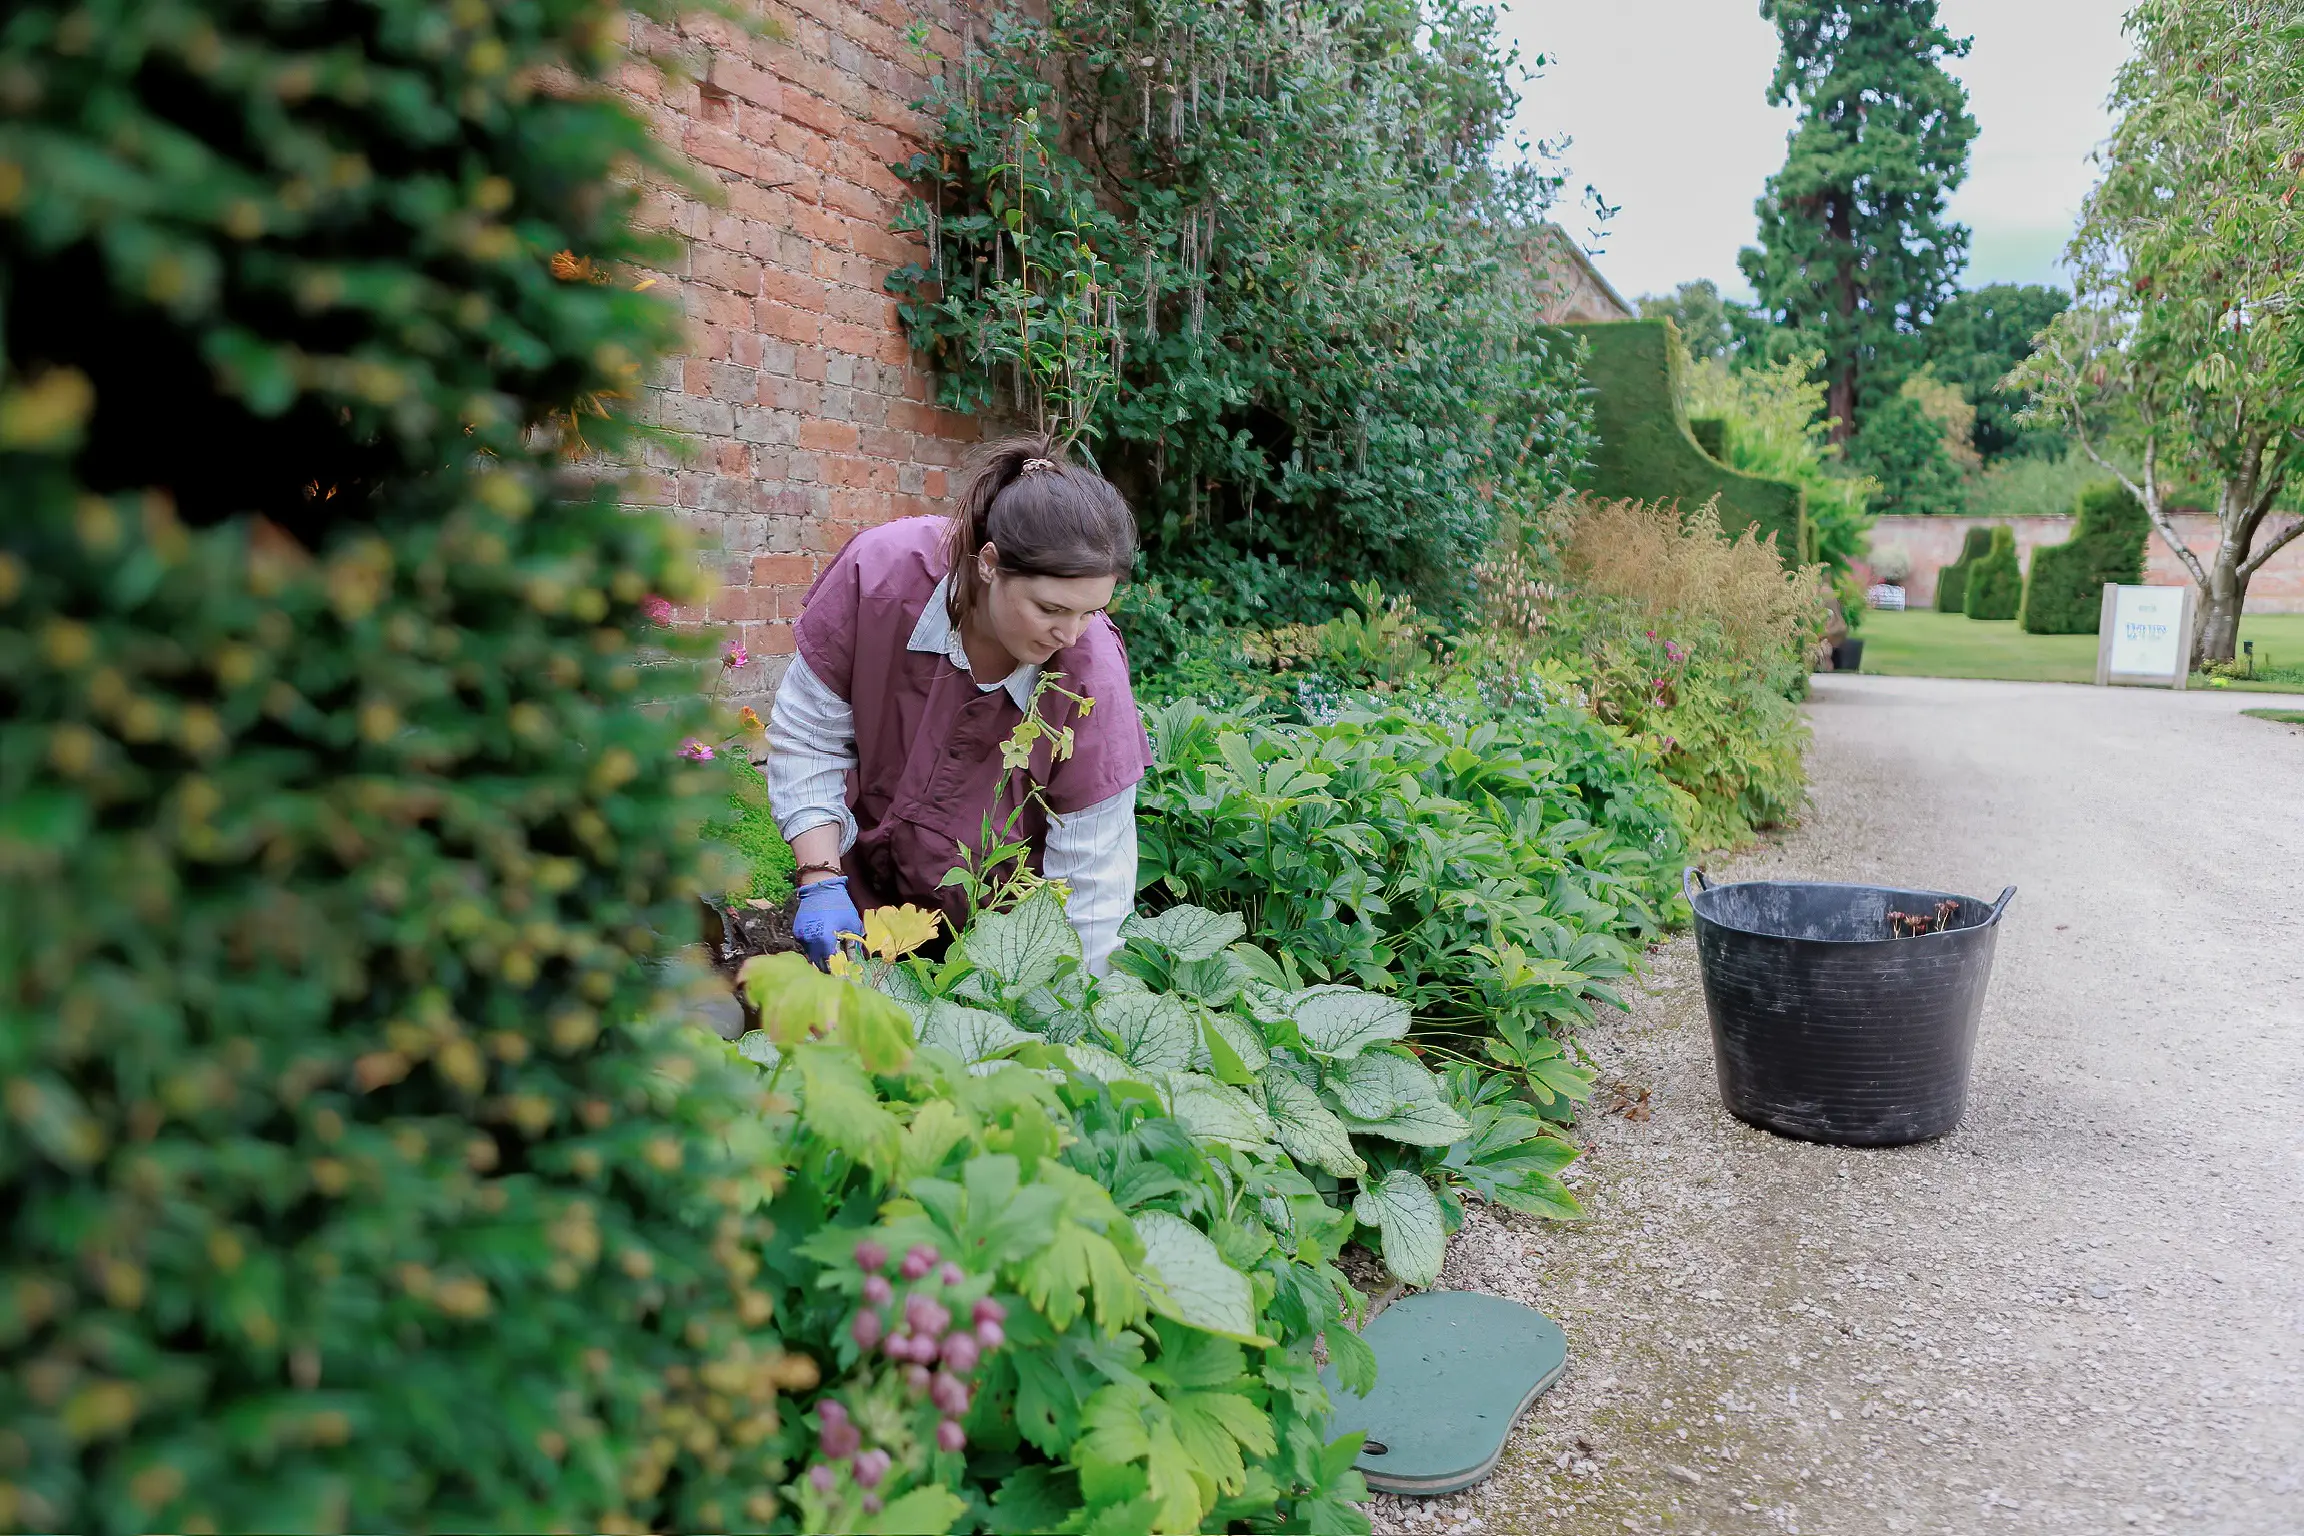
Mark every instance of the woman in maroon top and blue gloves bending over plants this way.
pixel 918 653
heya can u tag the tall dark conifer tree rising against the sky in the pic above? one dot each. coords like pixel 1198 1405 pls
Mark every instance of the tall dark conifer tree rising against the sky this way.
pixel 1856 252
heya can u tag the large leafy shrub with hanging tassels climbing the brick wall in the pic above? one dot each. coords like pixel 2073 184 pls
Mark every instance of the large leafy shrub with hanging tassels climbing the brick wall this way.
pixel 1264 264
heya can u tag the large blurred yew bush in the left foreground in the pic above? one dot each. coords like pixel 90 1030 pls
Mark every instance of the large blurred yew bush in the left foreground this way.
pixel 349 1185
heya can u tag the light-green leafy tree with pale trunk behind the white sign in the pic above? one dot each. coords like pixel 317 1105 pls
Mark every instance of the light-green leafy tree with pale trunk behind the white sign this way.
pixel 2185 344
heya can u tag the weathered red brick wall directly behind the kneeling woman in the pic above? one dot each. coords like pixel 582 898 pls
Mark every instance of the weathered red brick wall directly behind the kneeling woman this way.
pixel 805 413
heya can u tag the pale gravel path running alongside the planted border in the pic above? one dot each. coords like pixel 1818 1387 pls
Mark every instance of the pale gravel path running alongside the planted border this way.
pixel 2084 1311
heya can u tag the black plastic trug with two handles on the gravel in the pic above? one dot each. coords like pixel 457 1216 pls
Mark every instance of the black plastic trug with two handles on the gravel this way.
pixel 1831 1031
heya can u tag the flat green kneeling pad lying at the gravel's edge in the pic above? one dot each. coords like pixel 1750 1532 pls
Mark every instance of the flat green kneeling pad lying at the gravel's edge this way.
pixel 1455 1371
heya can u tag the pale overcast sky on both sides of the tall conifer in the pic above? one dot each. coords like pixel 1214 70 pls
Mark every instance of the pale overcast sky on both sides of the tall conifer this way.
pixel 1667 109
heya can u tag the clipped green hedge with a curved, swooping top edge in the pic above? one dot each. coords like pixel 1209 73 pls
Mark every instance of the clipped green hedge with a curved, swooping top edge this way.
pixel 1646 448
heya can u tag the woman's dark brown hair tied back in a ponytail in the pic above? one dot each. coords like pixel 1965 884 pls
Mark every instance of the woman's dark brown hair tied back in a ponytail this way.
pixel 1043 515
